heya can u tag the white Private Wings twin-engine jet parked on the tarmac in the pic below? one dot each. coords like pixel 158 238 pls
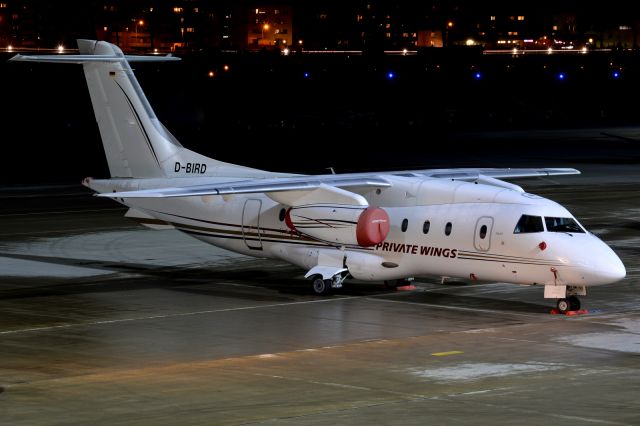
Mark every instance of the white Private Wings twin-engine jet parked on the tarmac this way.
pixel 465 223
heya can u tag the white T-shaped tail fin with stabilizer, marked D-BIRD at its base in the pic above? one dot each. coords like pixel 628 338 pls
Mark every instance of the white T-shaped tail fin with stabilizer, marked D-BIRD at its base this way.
pixel 135 142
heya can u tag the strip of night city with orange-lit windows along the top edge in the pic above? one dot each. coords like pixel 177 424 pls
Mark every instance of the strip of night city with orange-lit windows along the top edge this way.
pixel 365 25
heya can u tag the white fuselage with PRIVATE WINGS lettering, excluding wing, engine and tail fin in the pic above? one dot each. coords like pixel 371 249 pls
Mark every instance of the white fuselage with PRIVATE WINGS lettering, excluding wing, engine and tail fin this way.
pixel 451 229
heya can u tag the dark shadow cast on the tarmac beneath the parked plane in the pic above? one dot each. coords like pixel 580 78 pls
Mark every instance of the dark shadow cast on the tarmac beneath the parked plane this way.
pixel 250 280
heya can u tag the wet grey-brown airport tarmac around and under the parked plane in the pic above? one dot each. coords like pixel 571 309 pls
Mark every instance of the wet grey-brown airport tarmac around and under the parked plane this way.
pixel 105 322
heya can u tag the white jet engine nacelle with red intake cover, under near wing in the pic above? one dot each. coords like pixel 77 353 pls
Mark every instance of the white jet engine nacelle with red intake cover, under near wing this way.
pixel 341 224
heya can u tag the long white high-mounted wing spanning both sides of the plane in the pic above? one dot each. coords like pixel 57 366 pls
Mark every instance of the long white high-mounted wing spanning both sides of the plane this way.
pixel 310 182
